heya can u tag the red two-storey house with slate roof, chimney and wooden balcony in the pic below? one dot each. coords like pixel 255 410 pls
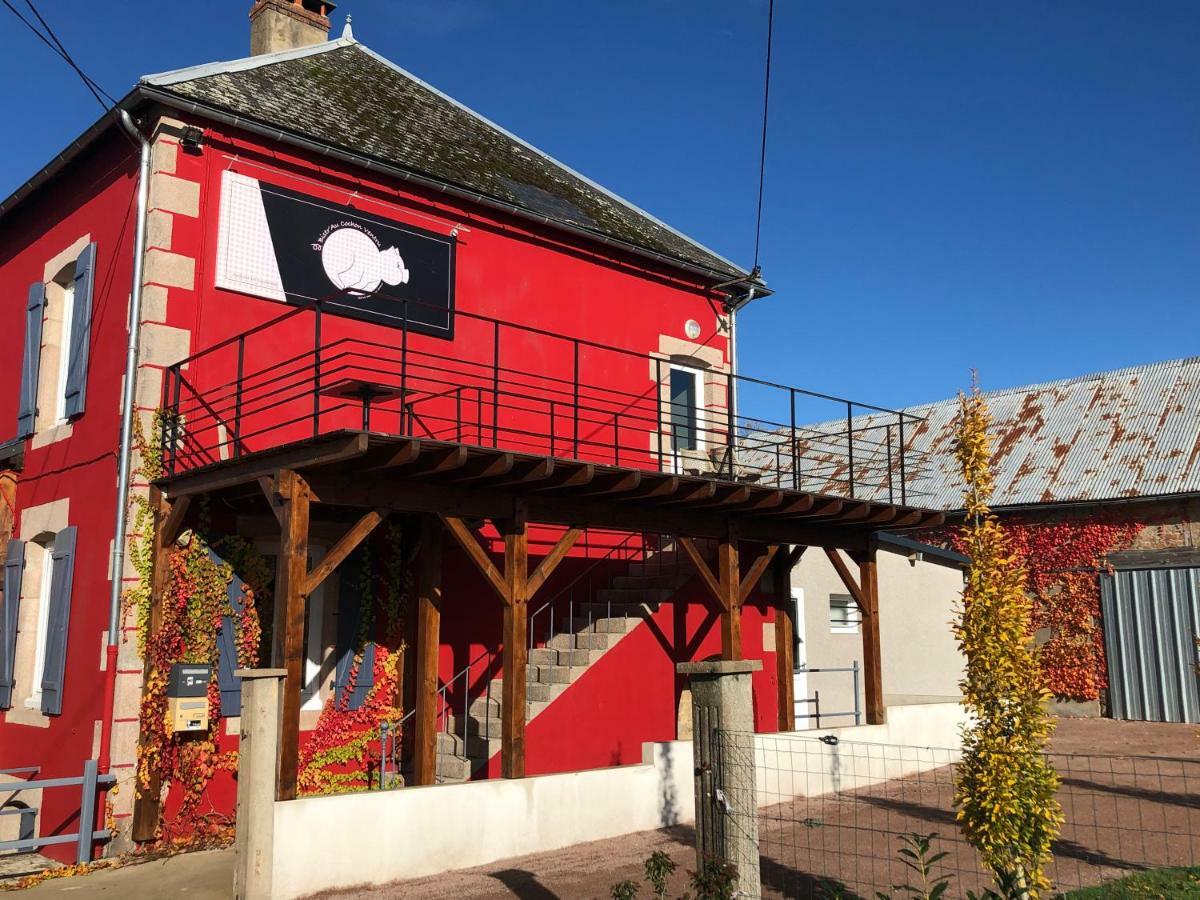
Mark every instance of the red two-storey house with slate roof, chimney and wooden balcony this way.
pixel 346 271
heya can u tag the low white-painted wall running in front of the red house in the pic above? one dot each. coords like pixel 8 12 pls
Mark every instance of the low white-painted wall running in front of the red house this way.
pixel 323 843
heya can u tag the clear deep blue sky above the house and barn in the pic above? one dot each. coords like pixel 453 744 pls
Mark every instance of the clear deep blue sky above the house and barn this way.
pixel 1010 187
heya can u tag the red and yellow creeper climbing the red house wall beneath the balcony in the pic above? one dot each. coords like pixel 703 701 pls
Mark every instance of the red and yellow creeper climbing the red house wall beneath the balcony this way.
pixel 196 599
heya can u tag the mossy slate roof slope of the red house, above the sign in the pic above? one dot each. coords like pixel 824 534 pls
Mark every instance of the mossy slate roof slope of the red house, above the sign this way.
pixel 345 95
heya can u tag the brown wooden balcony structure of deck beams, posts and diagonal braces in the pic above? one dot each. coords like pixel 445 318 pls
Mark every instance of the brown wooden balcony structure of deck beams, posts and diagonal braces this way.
pixel 361 478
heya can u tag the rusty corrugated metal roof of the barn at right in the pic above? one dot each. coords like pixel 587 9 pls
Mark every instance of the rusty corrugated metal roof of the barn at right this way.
pixel 1132 433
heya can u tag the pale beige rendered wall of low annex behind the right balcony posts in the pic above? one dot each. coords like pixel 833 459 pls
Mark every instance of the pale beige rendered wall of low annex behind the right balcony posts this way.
pixel 921 658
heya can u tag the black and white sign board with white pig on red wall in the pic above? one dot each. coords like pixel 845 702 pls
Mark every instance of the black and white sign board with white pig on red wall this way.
pixel 291 247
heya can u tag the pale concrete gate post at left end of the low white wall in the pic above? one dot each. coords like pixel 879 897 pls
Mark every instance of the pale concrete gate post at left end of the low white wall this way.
pixel 257 778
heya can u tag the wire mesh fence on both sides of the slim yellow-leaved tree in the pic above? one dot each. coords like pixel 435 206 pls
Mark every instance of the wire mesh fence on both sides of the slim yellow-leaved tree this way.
pixel 832 815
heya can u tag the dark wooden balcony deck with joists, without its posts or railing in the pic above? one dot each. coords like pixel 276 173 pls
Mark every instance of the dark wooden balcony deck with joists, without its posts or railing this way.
pixel 357 470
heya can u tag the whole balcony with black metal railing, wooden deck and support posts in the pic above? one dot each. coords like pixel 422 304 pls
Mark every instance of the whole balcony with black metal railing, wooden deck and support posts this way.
pixel 303 418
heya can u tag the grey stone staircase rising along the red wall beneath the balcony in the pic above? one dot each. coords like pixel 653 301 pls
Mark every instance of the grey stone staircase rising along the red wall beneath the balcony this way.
pixel 467 743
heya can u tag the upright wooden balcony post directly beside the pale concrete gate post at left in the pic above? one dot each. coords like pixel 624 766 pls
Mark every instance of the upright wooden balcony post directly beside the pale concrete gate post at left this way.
pixel 291 578
